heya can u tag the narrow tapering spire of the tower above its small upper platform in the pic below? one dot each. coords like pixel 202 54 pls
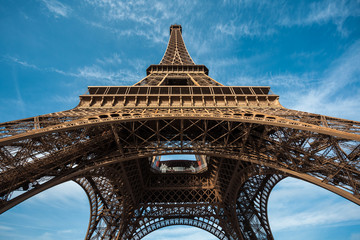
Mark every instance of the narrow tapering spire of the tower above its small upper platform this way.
pixel 176 53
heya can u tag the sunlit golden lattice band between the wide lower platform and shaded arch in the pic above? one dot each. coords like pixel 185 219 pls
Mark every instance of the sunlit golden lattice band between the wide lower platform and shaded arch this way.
pixel 90 116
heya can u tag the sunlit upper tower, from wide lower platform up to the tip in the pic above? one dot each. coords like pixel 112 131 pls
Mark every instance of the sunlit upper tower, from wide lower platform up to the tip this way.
pixel 177 82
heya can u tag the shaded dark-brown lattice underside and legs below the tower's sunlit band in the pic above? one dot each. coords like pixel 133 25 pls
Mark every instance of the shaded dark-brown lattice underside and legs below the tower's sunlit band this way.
pixel 108 159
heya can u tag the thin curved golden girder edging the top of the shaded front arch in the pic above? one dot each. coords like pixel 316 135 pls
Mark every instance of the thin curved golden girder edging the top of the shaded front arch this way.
pixel 236 115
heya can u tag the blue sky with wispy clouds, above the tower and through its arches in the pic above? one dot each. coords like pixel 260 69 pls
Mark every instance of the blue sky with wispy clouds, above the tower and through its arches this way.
pixel 307 51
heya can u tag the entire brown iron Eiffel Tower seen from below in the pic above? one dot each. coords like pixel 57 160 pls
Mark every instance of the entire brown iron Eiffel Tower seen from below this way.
pixel 178 148
